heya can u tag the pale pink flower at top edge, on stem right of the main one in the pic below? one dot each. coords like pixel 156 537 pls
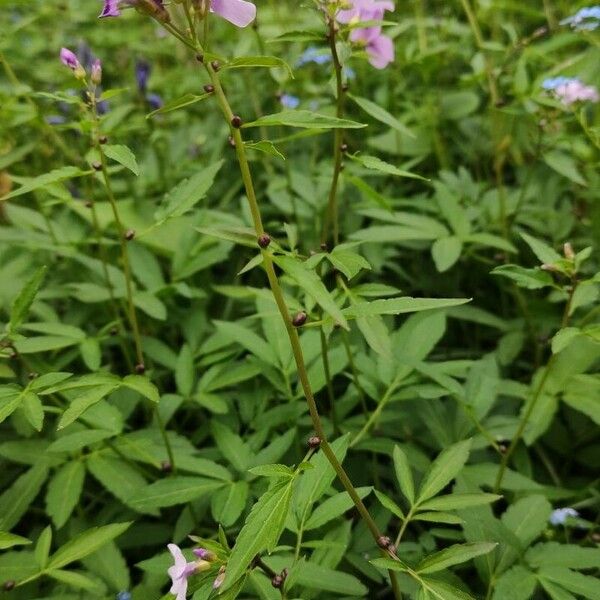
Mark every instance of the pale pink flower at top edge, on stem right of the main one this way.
pixel 380 48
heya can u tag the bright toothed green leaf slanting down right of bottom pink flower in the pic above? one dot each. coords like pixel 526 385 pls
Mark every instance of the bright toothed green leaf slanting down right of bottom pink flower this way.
pixel 261 531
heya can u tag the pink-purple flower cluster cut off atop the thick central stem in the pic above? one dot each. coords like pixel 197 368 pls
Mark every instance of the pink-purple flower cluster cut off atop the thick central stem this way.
pixel 238 12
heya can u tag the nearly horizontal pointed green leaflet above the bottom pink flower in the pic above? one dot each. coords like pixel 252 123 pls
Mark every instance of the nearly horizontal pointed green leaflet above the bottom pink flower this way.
pixel 173 491
